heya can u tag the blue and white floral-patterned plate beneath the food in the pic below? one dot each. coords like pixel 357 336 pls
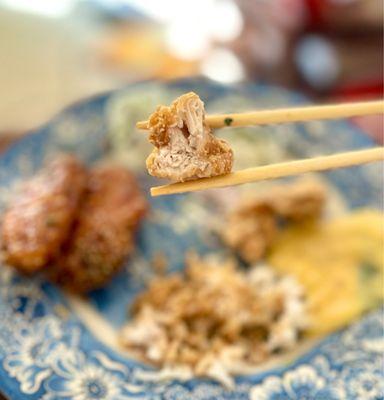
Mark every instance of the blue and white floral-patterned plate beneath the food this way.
pixel 56 347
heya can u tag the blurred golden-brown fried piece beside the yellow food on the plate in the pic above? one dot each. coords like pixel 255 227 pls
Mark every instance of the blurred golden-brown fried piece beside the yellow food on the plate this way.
pixel 251 227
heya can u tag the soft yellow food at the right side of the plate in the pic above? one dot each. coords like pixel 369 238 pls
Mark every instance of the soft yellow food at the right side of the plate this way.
pixel 339 263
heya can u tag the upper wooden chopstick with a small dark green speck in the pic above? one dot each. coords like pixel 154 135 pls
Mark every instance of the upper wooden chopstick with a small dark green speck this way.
pixel 295 114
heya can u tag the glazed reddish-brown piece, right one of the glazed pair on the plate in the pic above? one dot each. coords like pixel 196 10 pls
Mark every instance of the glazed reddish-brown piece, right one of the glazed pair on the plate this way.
pixel 103 234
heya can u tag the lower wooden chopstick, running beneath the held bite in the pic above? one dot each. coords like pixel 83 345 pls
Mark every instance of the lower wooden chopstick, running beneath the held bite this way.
pixel 273 171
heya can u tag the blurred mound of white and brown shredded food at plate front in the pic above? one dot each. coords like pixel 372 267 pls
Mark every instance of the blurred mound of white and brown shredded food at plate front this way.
pixel 215 319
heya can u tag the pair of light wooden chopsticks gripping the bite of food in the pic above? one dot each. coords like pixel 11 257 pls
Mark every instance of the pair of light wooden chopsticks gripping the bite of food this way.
pixel 279 170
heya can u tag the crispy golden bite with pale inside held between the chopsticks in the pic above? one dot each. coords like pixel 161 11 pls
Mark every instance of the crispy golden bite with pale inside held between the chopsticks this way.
pixel 185 148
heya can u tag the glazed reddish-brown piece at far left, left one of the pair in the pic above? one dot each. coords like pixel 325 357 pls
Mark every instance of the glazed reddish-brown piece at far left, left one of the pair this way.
pixel 38 221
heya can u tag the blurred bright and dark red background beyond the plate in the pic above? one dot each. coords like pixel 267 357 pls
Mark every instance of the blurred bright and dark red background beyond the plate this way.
pixel 53 52
